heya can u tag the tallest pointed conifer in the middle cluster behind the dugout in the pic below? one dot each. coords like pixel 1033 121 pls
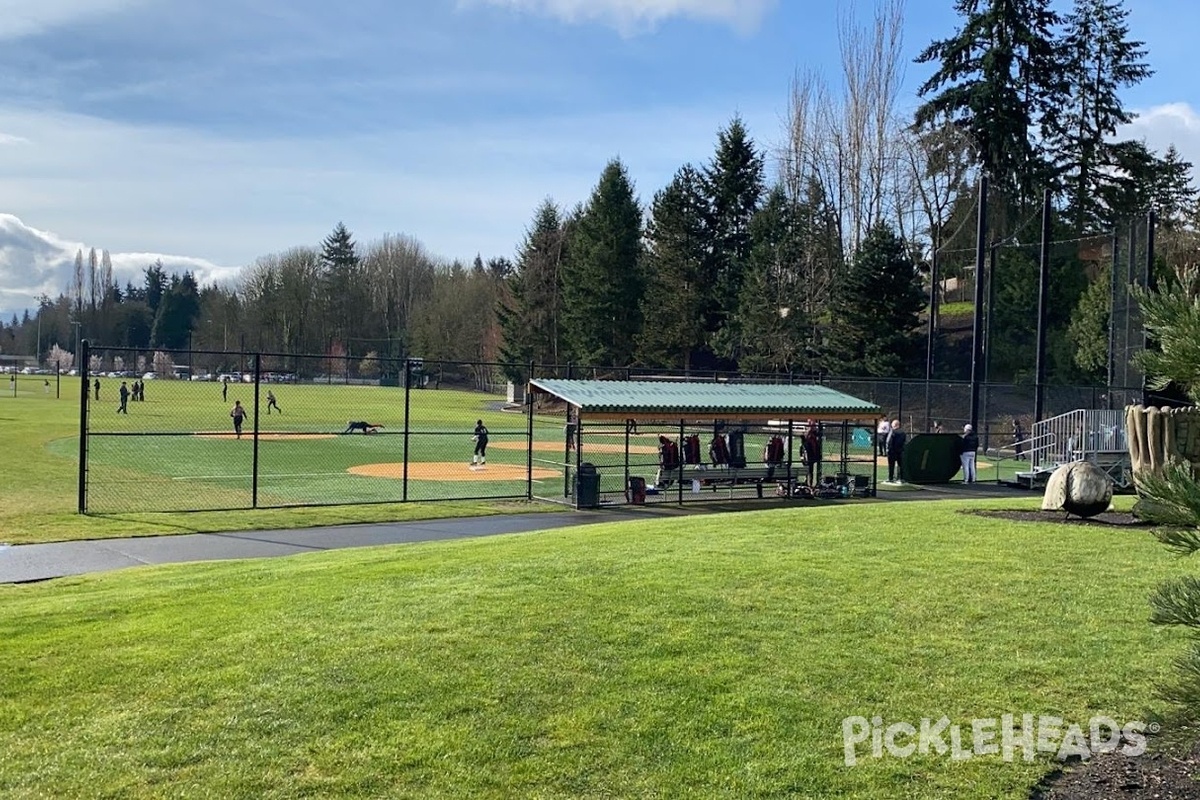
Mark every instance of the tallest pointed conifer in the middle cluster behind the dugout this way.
pixel 734 183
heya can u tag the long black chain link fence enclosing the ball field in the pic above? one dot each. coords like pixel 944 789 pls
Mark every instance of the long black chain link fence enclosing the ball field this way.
pixel 160 430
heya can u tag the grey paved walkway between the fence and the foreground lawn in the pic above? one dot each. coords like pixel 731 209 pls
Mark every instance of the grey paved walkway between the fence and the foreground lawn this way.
pixel 28 563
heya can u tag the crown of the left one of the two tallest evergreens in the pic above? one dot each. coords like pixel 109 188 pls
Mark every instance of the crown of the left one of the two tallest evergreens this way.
pixel 1001 79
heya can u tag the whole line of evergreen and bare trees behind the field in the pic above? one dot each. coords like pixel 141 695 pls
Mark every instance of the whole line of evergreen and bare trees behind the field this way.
pixel 812 255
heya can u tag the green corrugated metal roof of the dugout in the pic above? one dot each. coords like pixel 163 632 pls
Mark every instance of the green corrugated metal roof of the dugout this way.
pixel 688 399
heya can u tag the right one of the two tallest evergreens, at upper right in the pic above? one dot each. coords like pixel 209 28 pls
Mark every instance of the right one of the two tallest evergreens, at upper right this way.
pixel 1100 62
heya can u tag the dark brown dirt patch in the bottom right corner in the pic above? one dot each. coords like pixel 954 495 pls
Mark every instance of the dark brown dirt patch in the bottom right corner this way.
pixel 1117 777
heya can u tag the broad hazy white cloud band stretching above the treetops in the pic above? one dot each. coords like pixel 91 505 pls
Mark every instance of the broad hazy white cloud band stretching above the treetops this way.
pixel 459 189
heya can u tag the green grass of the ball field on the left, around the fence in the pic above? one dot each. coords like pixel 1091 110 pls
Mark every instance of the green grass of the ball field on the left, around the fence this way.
pixel 40 452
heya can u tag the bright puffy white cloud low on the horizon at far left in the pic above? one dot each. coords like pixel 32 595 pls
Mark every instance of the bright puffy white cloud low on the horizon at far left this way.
pixel 38 262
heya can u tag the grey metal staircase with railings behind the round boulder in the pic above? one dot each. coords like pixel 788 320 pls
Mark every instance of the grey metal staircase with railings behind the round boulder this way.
pixel 1096 436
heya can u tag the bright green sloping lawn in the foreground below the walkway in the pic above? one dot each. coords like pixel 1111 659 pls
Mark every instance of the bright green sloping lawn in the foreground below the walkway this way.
pixel 710 658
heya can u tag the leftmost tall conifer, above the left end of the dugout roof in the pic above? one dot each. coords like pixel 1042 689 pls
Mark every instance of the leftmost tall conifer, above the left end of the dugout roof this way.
pixel 532 298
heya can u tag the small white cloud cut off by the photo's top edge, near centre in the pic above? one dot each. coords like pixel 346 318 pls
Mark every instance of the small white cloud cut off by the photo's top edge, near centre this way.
pixel 638 16
